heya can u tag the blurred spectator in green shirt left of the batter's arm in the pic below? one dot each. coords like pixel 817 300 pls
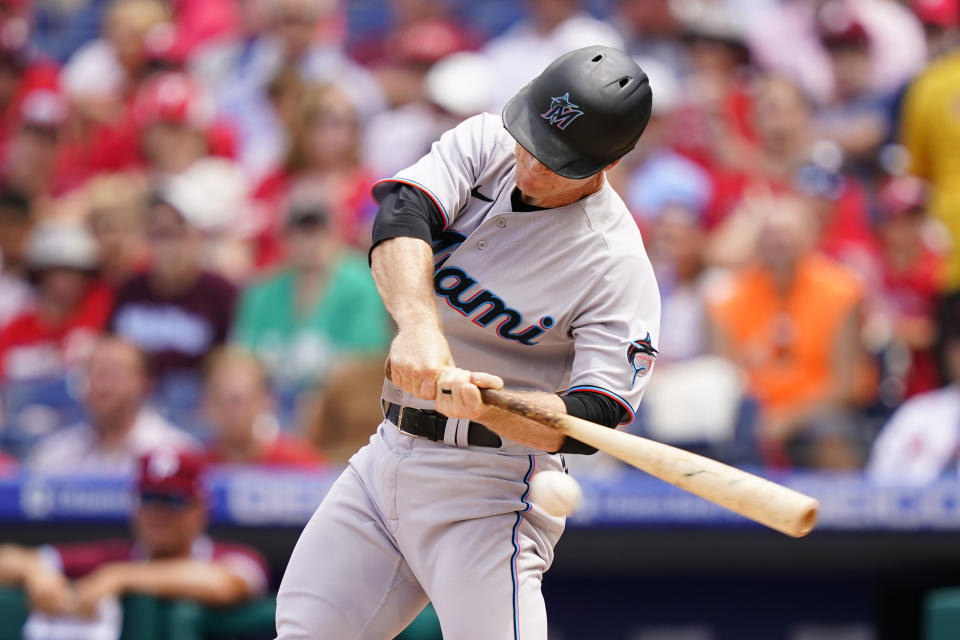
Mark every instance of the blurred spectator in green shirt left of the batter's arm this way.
pixel 322 306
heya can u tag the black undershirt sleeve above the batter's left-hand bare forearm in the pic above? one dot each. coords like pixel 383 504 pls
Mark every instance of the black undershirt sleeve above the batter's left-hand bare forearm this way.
pixel 406 212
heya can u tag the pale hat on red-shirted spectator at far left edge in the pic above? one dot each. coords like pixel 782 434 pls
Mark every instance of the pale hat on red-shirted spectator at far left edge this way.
pixel 61 244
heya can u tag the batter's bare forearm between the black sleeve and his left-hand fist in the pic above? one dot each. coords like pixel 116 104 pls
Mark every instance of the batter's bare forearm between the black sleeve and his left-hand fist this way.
pixel 403 271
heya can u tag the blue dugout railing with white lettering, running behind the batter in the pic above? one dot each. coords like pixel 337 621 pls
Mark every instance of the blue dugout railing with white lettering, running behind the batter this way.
pixel 245 497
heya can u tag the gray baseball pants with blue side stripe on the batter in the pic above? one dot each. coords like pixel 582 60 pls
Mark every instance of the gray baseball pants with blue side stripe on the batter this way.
pixel 411 521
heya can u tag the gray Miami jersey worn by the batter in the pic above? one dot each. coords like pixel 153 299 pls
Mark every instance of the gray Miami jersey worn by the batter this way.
pixel 551 300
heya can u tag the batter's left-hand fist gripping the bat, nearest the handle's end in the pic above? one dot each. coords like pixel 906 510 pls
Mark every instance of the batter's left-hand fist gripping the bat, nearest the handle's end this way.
pixel 417 356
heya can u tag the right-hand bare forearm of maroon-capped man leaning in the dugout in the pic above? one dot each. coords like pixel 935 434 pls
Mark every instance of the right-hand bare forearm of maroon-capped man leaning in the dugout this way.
pixel 206 582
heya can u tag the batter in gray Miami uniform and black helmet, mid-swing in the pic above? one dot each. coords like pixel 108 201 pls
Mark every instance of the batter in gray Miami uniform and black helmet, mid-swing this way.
pixel 506 259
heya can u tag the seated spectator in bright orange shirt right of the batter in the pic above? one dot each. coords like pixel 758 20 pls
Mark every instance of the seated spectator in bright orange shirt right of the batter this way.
pixel 791 321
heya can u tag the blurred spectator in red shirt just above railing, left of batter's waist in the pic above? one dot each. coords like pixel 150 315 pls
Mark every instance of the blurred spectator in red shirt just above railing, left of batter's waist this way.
pixel 237 404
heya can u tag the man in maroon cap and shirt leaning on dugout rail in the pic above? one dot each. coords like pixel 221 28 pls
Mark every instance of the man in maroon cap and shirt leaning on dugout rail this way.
pixel 169 556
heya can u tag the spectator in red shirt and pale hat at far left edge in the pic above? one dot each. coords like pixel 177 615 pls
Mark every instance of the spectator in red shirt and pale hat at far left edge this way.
pixel 71 308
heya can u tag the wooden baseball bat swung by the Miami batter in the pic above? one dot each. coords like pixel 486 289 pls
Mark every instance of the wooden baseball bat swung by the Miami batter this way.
pixel 766 502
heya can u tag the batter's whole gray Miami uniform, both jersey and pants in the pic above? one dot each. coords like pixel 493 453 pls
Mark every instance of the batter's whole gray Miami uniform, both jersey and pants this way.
pixel 552 300
